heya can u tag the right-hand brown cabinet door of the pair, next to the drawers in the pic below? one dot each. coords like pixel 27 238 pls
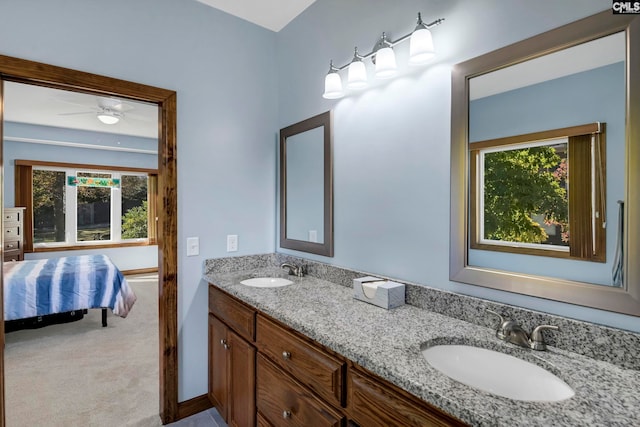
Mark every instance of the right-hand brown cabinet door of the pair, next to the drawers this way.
pixel 242 401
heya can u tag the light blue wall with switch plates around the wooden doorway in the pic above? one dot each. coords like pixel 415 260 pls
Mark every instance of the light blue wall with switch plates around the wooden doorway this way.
pixel 224 72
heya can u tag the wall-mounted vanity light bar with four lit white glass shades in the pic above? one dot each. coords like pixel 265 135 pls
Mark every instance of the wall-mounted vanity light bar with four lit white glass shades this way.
pixel 421 50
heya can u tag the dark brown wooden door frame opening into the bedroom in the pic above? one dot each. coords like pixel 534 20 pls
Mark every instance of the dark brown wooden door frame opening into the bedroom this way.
pixel 29 72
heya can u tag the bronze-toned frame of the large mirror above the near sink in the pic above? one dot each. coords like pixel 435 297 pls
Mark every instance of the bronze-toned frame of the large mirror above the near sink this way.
pixel 622 300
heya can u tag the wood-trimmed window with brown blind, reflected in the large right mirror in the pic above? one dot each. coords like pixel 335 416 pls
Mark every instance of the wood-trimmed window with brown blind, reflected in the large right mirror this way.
pixel 540 194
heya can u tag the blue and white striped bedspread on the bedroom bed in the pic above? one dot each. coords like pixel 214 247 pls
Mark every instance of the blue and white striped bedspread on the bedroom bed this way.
pixel 39 287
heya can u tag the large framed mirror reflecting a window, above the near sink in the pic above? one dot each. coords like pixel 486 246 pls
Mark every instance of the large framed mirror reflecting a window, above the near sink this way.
pixel 545 158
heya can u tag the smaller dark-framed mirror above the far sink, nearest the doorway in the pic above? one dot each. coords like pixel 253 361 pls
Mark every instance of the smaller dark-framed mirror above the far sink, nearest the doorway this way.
pixel 306 189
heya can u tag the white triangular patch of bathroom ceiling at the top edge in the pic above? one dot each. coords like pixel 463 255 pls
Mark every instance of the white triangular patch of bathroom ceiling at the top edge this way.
pixel 271 14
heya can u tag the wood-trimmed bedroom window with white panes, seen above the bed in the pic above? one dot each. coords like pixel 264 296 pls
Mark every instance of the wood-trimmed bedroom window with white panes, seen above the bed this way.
pixel 81 205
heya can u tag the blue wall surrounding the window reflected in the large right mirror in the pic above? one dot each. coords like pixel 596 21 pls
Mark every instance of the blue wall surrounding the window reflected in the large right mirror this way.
pixel 592 96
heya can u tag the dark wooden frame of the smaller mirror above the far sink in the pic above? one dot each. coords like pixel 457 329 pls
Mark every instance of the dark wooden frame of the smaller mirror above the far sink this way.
pixel 326 247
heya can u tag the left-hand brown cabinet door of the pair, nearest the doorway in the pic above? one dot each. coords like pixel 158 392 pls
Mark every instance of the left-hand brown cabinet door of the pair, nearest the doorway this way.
pixel 218 366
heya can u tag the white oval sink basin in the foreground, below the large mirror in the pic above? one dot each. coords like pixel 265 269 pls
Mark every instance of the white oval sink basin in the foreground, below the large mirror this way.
pixel 497 373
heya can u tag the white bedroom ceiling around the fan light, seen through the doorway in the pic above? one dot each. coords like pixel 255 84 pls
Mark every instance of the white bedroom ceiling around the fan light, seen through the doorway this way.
pixel 52 107
